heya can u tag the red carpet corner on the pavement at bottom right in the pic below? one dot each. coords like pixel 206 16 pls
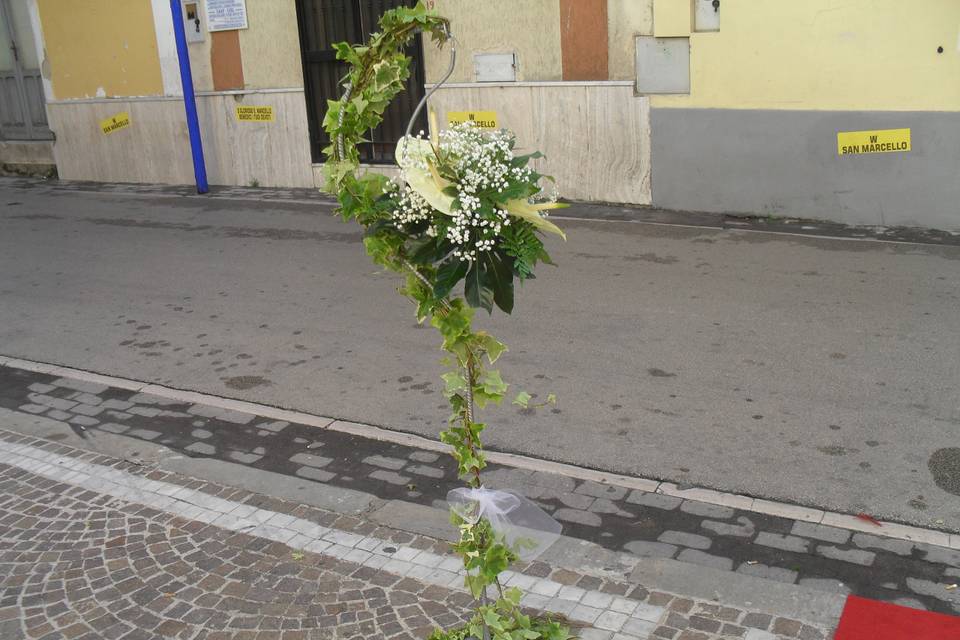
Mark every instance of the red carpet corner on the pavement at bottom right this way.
pixel 864 619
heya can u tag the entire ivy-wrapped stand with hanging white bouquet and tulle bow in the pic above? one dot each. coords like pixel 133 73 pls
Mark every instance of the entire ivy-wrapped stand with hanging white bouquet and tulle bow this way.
pixel 465 209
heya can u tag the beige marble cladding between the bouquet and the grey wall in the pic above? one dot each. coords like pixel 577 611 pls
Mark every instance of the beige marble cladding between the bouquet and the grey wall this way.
pixel 596 137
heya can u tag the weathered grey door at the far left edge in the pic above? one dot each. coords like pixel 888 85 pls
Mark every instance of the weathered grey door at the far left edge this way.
pixel 23 114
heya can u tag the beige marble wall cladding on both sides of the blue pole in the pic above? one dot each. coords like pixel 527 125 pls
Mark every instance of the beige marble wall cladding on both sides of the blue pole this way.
pixel 155 147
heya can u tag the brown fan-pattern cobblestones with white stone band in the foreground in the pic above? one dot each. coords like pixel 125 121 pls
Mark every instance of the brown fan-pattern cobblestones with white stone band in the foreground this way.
pixel 94 547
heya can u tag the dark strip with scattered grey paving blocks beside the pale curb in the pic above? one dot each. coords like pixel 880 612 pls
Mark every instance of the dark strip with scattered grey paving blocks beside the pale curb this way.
pixel 645 524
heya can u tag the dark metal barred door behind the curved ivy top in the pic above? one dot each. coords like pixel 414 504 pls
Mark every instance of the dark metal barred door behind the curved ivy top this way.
pixel 325 22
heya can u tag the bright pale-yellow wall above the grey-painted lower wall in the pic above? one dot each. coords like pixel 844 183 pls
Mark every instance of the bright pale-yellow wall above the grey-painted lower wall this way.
pixel 826 55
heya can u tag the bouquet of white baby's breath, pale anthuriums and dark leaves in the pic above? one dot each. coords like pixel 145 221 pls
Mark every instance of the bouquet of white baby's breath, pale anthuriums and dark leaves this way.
pixel 469 204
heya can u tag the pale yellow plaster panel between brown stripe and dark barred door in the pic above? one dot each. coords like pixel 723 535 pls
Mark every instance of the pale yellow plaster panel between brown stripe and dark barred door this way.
pixel 271 46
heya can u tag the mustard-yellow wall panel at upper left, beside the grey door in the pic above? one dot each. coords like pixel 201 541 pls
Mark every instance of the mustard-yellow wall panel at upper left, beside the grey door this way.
pixel 100 48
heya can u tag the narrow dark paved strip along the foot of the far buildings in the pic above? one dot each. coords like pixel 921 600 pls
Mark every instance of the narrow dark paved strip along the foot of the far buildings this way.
pixel 797 226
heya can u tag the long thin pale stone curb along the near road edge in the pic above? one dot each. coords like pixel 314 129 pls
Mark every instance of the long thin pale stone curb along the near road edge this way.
pixel 709 496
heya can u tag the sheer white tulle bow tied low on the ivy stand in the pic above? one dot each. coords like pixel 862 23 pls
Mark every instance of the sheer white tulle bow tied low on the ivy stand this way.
pixel 526 528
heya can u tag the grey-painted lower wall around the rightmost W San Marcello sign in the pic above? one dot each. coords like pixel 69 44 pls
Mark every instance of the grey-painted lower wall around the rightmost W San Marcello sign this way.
pixel 785 163
